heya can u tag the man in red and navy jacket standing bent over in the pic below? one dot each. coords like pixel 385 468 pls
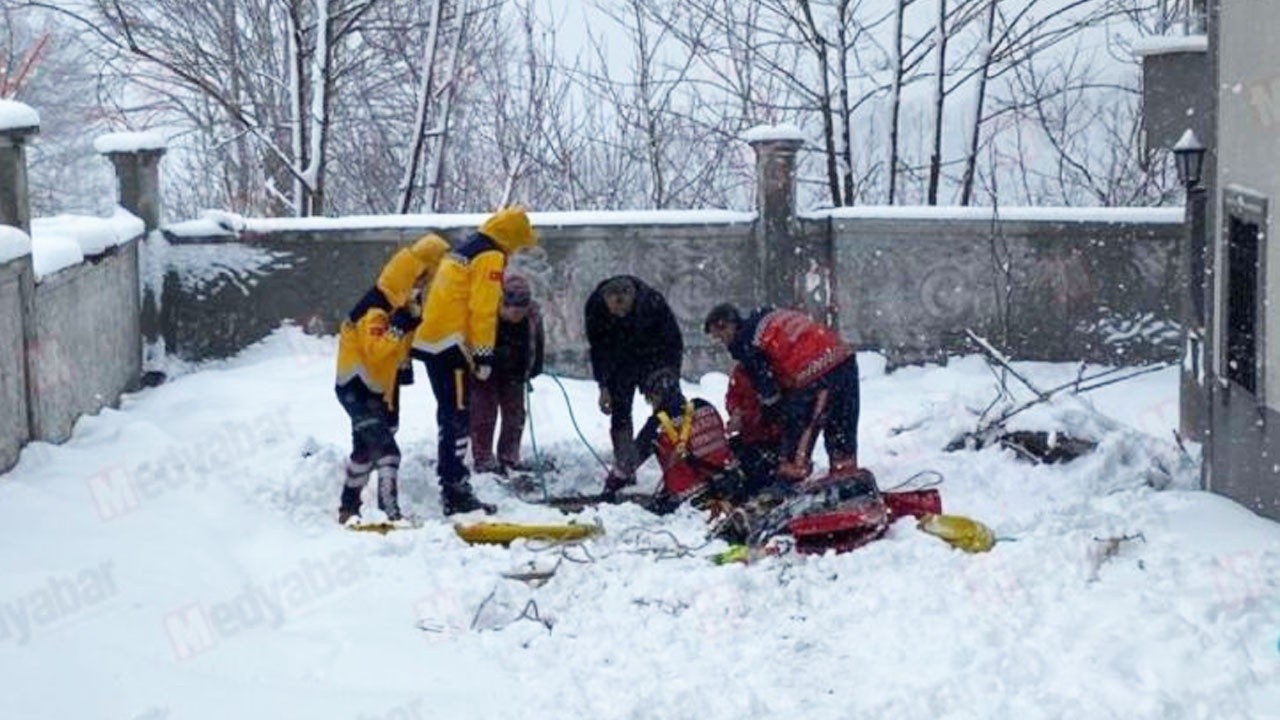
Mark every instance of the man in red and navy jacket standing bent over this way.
pixel 807 380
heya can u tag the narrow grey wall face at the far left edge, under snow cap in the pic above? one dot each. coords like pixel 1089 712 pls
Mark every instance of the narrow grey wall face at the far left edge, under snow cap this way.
pixel 15 427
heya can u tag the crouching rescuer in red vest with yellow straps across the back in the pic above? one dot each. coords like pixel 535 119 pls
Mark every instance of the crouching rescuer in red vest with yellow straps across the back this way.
pixel 688 436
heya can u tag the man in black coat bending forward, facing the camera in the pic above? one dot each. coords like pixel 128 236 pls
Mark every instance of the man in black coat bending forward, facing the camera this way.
pixel 632 332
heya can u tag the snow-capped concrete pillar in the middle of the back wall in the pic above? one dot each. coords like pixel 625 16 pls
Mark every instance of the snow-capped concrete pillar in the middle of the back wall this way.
pixel 776 229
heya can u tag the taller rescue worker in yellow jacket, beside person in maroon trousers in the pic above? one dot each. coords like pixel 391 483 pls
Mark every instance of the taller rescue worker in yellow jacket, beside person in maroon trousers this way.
pixel 456 340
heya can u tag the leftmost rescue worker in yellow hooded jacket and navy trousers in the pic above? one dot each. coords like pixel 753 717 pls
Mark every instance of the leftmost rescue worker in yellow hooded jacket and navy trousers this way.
pixel 373 359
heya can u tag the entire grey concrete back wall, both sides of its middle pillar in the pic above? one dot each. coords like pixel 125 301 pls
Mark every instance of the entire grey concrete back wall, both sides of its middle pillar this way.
pixel 906 288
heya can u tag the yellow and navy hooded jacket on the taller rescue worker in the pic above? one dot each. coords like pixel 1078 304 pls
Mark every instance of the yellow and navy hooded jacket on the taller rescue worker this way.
pixel 461 309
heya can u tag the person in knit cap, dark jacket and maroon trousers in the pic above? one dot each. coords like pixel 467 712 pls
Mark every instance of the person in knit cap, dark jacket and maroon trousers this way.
pixel 518 358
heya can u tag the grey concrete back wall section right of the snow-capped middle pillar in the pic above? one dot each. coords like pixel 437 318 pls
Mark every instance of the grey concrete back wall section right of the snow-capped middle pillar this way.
pixel 1075 291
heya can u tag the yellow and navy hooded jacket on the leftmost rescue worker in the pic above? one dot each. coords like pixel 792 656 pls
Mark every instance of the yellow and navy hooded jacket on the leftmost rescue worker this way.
pixel 377 335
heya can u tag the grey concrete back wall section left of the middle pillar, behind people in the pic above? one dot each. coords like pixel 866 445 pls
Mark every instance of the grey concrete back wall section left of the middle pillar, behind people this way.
pixel 241 291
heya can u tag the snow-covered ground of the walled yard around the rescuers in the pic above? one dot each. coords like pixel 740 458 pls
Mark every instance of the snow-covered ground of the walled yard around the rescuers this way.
pixel 177 559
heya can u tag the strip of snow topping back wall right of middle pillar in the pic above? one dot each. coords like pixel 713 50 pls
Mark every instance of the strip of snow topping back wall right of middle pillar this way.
pixel 1173 216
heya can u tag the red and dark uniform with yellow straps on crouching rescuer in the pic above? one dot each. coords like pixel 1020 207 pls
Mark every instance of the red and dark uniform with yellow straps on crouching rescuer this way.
pixel 689 439
